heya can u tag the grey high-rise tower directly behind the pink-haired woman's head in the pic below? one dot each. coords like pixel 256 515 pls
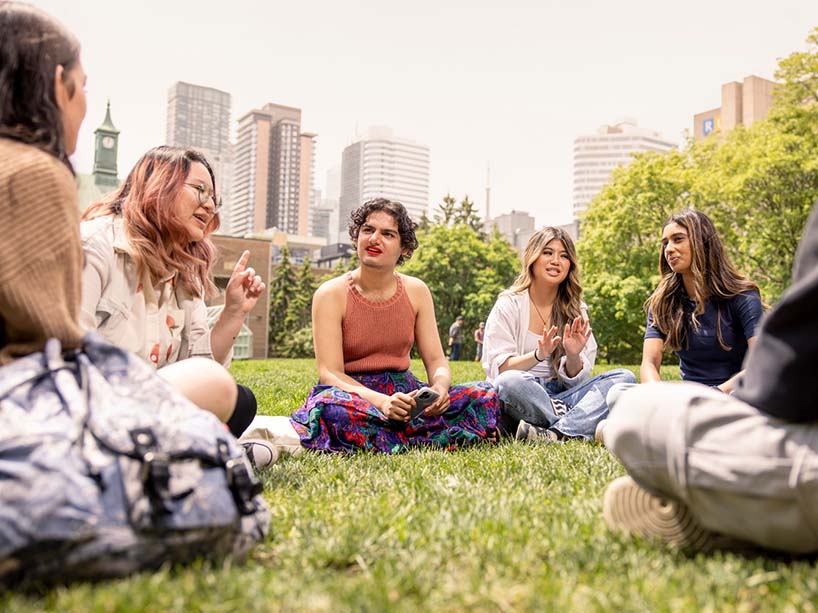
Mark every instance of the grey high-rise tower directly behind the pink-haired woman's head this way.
pixel 199 118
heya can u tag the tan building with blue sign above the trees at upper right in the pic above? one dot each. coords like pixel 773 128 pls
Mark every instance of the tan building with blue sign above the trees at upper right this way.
pixel 741 104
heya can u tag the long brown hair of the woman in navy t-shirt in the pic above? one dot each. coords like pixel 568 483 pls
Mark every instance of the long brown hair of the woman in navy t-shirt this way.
pixel 714 277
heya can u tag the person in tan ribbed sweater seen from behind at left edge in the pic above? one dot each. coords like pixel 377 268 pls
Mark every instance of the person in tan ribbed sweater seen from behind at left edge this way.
pixel 42 104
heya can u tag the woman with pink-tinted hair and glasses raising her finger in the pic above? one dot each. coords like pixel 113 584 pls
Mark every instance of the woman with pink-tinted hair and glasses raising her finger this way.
pixel 147 259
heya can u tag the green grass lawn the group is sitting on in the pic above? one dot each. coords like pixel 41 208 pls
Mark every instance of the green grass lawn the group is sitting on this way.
pixel 505 527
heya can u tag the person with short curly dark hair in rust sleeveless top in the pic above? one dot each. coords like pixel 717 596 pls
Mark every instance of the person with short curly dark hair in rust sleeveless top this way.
pixel 364 326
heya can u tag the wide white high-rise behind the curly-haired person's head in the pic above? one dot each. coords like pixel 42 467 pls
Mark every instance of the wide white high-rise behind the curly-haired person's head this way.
pixel 382 165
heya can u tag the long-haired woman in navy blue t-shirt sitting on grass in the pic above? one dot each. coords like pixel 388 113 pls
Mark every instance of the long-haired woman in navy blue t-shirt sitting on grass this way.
pixel 703 309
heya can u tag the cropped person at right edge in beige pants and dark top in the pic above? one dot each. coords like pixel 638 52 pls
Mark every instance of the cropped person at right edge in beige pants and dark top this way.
pixel 709 469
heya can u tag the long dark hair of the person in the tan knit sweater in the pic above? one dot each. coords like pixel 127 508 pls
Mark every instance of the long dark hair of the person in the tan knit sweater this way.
pixel 32 45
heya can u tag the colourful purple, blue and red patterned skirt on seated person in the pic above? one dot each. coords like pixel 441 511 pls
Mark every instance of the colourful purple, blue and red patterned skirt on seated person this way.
pixel 334 420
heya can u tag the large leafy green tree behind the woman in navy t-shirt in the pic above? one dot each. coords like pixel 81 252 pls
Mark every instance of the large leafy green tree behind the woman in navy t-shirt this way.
pixel 757 183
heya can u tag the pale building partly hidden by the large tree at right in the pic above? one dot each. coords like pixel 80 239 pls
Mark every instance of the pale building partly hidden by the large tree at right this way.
pixel 595 156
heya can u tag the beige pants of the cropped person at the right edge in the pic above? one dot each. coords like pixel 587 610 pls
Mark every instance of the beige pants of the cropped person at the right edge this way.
pixel 741 472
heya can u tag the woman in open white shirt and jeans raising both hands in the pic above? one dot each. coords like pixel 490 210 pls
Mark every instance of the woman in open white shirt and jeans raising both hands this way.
pixel 539 350
